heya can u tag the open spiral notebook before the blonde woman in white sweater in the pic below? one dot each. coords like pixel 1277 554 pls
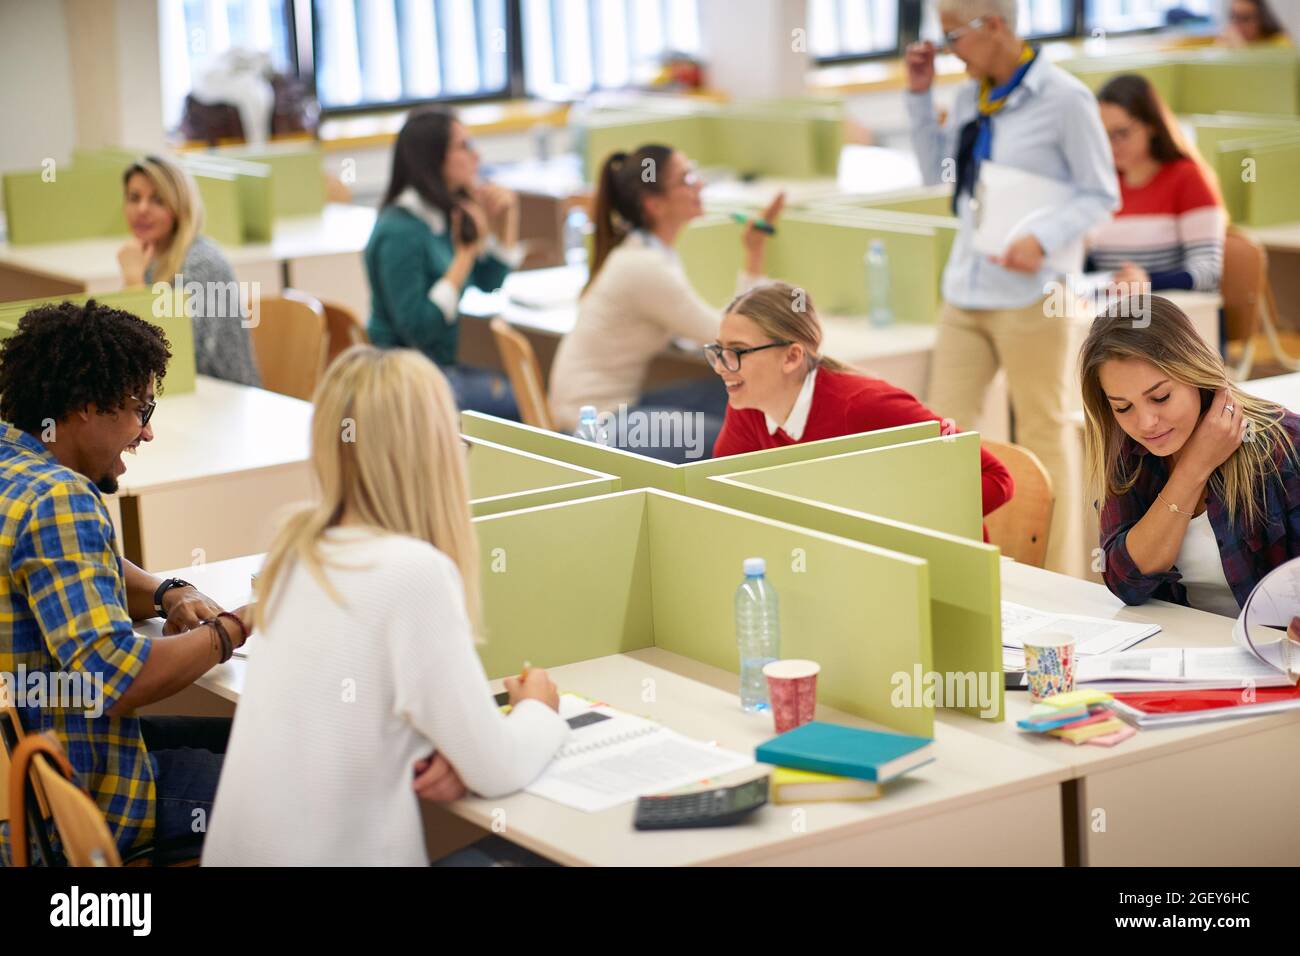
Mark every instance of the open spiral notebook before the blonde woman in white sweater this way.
pixel 612 758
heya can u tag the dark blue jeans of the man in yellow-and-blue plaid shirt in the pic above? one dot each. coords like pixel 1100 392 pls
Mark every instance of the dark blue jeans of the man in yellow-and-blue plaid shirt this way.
pixel 187 754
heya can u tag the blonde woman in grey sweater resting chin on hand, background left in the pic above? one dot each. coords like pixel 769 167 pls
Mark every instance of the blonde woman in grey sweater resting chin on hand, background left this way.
pixel 164 214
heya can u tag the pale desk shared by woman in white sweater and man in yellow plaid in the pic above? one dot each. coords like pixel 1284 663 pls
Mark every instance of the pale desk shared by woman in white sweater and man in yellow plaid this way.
pixel 980 803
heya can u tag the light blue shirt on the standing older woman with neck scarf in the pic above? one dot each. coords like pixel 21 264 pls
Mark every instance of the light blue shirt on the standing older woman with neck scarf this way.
pixel 1051 127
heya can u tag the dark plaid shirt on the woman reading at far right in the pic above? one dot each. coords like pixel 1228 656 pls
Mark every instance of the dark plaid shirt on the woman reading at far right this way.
pixel 1249 553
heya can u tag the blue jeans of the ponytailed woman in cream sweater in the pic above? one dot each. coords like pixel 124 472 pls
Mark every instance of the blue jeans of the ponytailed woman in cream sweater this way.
pixel 678 423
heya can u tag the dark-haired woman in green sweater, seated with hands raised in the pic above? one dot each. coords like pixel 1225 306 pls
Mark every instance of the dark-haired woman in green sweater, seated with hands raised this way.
pixel 439 231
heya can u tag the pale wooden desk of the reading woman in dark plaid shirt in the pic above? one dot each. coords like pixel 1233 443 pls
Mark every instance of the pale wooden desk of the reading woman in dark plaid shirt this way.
pixel 1220 794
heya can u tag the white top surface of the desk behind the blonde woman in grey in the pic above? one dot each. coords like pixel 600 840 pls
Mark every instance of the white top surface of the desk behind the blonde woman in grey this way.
pixel 339 230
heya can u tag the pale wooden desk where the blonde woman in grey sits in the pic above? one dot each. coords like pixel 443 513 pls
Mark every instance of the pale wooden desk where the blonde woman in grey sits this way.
pixel 319 254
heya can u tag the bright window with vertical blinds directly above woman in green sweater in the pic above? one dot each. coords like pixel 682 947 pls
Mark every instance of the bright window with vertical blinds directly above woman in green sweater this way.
pixel 374 53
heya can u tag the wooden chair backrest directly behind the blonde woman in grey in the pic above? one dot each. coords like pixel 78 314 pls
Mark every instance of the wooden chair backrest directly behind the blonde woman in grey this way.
pixel 289 340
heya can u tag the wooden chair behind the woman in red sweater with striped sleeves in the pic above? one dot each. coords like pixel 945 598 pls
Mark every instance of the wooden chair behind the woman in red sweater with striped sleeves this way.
pixel 1249 306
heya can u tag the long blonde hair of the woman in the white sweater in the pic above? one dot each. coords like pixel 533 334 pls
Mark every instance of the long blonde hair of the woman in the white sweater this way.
pixel 387 449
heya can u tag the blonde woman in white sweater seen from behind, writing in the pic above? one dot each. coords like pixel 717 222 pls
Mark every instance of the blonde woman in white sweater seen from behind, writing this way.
pixel 365 693
